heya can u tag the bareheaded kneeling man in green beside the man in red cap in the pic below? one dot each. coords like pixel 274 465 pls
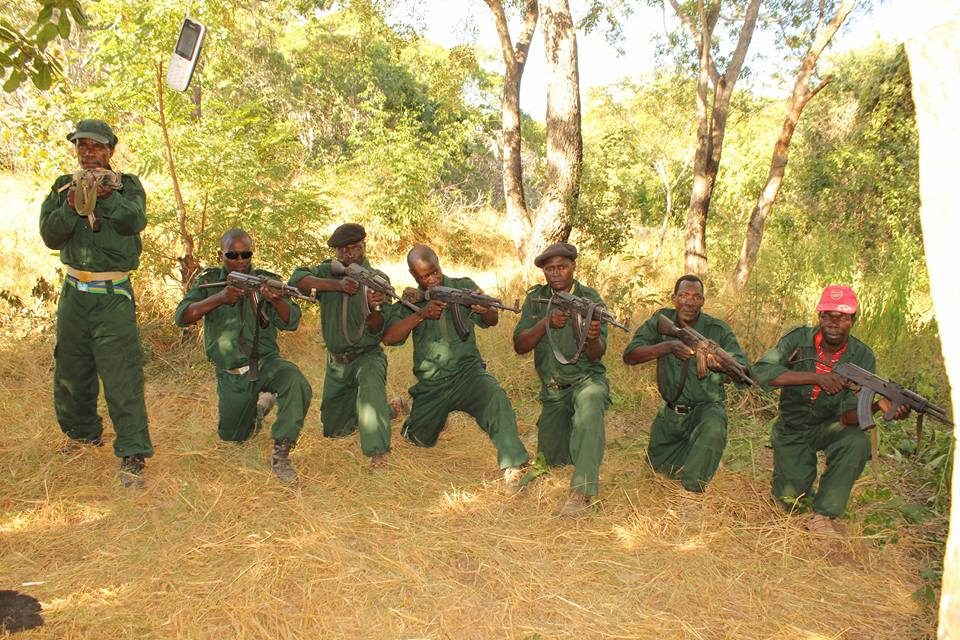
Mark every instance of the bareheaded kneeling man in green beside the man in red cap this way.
pixel 689 434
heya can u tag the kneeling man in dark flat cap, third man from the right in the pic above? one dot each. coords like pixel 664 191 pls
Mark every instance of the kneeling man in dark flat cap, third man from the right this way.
pixel 574 396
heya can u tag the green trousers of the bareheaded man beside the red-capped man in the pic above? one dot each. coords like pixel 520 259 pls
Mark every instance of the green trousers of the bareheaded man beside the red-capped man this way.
pixel 689 446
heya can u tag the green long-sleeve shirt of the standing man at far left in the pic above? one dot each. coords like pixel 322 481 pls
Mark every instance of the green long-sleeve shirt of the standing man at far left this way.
pixel 115 247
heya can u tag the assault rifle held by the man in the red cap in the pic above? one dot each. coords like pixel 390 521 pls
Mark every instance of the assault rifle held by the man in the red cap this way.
pixel 868 385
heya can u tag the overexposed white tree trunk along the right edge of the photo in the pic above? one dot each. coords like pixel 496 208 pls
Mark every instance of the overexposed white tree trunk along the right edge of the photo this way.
pixel 935 77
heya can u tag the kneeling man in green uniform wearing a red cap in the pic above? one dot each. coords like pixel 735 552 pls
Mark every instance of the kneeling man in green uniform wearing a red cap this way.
pixel 817 412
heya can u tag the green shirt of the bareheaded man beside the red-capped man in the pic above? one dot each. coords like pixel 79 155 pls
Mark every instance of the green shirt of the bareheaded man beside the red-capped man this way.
pixel 695 391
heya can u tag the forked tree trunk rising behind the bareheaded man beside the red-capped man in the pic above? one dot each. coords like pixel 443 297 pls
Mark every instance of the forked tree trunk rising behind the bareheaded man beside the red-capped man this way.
pixel 714 90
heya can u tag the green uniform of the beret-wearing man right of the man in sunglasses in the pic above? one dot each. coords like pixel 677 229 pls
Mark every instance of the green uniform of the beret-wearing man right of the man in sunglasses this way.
pixel 355 384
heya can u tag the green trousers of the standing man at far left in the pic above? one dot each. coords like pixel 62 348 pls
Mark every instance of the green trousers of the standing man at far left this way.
pixel 97 335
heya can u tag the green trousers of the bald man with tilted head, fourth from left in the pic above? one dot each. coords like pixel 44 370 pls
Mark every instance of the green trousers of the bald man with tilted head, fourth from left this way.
pixel 475 392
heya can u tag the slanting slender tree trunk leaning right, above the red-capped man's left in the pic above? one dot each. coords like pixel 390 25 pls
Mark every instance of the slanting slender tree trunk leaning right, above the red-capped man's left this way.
pixel 802 93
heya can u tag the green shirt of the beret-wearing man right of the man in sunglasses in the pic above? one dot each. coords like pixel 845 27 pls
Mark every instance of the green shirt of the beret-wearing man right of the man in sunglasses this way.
pixel 331 313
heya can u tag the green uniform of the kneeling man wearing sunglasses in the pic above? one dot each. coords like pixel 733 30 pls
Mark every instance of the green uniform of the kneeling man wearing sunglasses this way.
pixel 226 331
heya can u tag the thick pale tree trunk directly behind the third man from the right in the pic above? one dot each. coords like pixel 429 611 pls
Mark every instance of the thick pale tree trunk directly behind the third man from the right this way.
pixel 564 140
